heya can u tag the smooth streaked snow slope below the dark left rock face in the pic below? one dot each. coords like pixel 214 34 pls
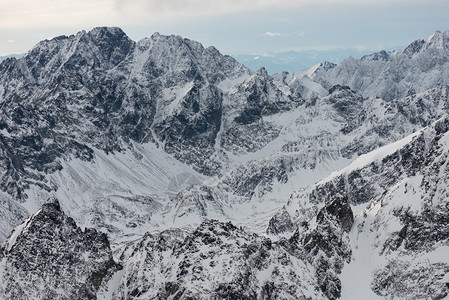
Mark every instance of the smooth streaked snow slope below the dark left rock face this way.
pixel 119 193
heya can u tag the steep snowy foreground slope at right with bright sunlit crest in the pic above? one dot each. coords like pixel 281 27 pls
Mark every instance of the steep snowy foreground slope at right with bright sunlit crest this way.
pixel 395 228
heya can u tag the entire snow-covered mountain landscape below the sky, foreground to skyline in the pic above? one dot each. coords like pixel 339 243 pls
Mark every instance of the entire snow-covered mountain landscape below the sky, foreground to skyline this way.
pixel 212 181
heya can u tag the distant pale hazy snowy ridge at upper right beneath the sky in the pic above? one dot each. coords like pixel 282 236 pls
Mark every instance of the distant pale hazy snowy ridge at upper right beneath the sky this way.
pixel 421 66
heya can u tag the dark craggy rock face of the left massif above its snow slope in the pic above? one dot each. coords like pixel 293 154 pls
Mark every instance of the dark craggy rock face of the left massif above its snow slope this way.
pixel 101 90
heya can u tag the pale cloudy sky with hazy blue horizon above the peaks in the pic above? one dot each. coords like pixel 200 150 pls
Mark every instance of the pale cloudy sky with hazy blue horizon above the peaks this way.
pixel 233 26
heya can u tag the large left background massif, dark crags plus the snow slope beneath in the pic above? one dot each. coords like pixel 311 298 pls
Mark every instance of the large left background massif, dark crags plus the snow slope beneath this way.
pixel 72 99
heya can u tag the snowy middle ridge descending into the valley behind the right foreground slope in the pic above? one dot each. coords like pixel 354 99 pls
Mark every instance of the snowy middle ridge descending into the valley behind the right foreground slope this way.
pixel 317 137
